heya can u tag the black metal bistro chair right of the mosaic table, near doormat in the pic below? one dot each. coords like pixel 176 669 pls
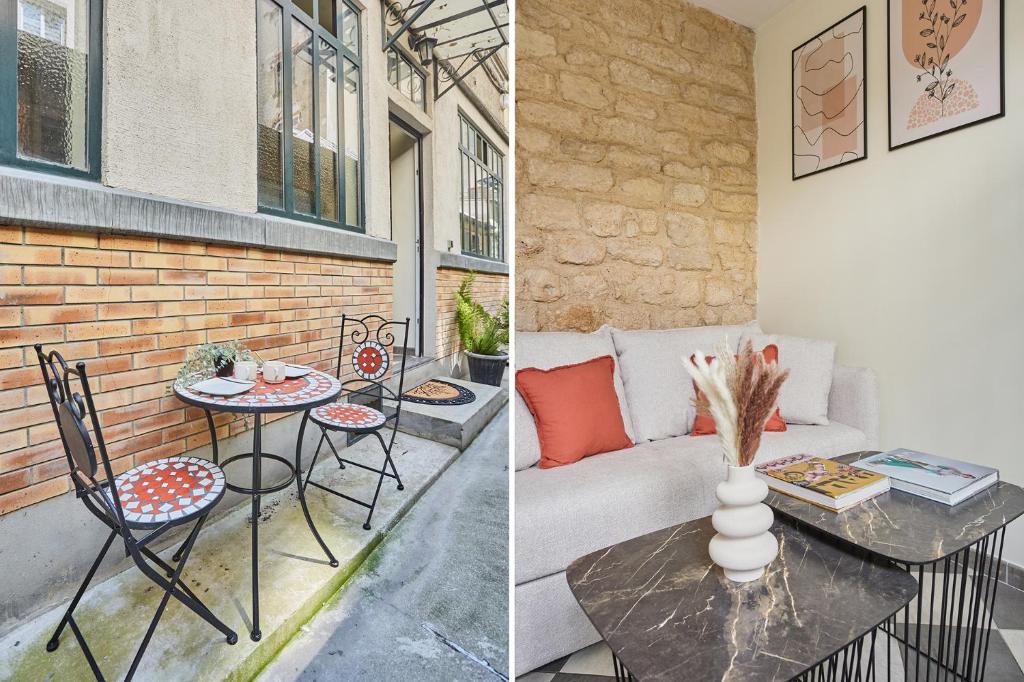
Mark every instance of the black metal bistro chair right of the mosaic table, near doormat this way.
pixel 371 361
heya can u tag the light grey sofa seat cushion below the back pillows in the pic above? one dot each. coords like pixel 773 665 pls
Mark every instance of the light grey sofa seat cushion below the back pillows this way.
pixel 564 514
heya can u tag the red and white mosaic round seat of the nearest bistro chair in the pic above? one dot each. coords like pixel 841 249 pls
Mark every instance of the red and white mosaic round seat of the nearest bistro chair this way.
pixel 169 490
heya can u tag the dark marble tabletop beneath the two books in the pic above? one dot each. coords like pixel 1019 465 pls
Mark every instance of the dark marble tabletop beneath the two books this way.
pixel 907 528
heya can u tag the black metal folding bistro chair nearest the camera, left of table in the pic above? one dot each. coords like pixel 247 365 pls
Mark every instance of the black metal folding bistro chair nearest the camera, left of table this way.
pixel 151 498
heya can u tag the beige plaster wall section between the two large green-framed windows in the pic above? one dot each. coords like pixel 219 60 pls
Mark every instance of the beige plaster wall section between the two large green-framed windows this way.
pixel 180 101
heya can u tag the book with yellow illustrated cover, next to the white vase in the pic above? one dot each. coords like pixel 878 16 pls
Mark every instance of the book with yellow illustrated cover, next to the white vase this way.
pixel 824 483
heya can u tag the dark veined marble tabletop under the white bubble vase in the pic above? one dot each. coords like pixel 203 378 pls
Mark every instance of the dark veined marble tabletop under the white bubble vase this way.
pixel 669 614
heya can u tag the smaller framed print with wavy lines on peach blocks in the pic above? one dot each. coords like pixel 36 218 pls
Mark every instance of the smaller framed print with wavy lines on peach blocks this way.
pixel 830 126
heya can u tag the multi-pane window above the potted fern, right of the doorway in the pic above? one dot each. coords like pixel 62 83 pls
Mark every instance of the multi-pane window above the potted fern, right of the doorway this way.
pixel 483 206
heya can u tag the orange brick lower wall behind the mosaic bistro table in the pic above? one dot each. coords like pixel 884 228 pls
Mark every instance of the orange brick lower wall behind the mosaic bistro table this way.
pixel 132 309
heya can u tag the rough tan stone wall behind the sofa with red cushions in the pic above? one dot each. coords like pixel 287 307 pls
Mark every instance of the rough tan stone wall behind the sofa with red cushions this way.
pixel 635 166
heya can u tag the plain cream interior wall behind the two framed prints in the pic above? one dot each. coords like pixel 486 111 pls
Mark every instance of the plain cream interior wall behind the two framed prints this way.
pixel 910 261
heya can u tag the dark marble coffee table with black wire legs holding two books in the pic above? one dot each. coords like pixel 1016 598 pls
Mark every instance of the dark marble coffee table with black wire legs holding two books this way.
pixel 955 553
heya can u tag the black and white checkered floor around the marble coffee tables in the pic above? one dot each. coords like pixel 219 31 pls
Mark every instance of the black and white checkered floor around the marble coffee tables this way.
pixel 1006 652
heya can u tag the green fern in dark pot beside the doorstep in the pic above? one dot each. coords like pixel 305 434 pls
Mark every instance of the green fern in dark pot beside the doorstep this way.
pixel 485 336
